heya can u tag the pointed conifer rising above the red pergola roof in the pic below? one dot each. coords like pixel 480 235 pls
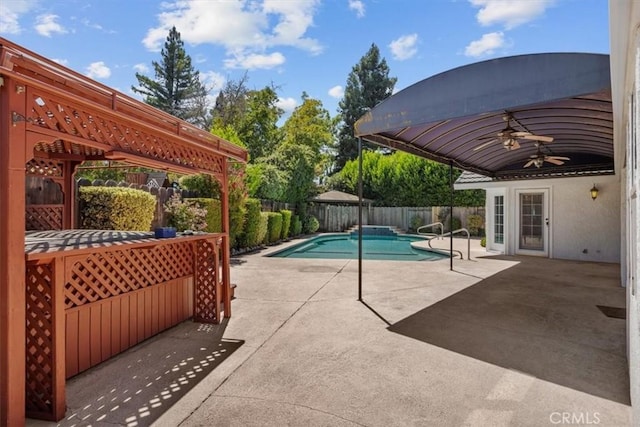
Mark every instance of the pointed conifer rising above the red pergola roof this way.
pixel 176 88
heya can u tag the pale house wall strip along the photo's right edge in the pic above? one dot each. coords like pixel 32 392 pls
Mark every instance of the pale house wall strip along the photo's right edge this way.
pixel 624 32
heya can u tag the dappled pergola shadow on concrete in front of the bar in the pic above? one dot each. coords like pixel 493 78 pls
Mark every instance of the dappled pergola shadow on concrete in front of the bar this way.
pixel 139 385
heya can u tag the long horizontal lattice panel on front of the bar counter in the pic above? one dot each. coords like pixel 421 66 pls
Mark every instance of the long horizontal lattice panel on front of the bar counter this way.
pixel 105 274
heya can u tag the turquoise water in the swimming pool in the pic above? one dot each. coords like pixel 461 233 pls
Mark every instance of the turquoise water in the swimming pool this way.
pixel 345 246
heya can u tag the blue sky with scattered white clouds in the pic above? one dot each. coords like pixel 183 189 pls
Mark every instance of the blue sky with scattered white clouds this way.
pixel 298 45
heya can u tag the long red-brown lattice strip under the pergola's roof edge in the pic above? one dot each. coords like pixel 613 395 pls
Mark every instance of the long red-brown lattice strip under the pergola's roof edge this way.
pixel 65 116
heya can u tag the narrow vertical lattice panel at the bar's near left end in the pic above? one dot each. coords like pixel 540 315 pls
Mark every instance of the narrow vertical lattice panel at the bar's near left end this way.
pixel 39 363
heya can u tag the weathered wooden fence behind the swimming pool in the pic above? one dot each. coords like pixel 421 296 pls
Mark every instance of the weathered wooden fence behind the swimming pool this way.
pixel 335 218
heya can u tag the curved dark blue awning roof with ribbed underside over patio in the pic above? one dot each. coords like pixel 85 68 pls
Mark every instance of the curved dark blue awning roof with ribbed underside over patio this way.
pixel 446 117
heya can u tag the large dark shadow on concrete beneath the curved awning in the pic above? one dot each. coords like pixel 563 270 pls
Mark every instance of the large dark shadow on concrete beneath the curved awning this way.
pixel 539 317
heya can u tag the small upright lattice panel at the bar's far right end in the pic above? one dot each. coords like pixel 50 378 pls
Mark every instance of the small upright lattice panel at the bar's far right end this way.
pixel 207 290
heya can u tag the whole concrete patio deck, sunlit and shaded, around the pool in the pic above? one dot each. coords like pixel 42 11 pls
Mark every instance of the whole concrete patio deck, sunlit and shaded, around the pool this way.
pixel 499 341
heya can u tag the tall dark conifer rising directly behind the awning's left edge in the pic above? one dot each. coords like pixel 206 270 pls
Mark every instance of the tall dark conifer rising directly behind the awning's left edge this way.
pixel 367 85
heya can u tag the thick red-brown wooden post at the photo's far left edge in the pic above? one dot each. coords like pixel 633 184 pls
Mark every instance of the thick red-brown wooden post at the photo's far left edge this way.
pixel 12 261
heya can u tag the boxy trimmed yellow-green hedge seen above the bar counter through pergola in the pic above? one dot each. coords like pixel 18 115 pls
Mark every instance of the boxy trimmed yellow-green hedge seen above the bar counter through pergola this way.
pixel 116 208
